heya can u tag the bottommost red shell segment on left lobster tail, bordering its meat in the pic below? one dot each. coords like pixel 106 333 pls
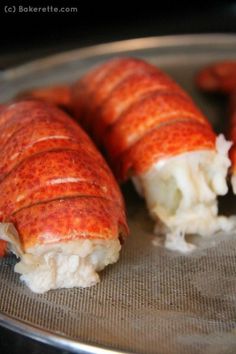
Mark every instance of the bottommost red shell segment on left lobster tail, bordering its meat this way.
pixel 67 219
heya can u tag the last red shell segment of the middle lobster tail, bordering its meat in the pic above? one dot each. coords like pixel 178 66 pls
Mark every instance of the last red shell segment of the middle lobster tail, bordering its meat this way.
pixel 179 138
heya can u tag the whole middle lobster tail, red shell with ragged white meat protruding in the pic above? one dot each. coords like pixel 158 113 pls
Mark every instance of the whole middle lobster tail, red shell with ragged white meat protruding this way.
pixel 152 132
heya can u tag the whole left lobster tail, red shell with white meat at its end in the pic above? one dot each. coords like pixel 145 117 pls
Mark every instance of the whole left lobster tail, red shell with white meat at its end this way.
pixel 61 210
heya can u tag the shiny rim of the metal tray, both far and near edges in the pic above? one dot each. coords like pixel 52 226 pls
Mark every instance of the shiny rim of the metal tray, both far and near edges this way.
pixel 17 325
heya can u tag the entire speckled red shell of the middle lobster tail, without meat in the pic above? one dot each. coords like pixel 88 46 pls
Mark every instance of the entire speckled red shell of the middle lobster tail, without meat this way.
pixel 129 116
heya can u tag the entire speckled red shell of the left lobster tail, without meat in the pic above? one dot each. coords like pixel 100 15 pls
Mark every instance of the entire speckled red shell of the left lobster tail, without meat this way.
pixel 55 185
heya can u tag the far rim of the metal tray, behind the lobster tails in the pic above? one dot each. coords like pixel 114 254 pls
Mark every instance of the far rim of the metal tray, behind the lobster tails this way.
pixel 116 47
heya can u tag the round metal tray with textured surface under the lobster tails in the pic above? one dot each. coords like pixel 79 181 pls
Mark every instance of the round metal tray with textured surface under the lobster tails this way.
pixel 152 300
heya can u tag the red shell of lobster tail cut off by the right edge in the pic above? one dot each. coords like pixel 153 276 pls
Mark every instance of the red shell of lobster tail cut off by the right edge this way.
pixel 220 77
